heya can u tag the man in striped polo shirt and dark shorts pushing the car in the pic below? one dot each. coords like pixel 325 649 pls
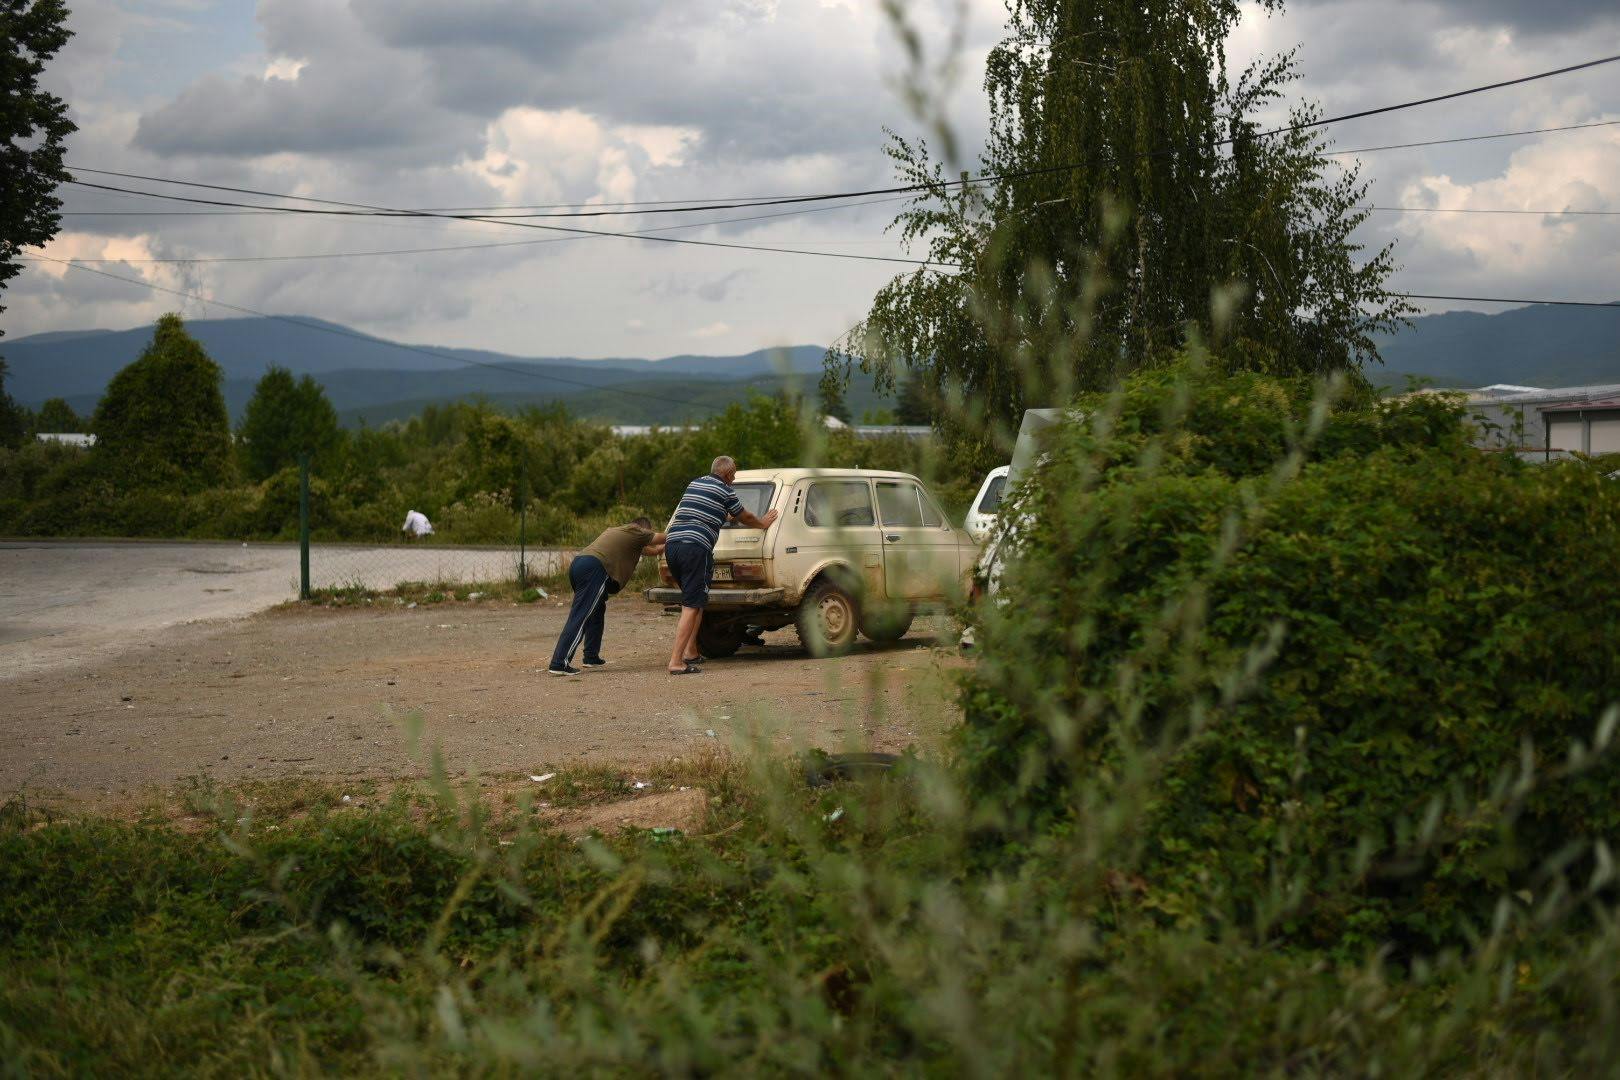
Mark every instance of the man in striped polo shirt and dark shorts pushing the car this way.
pixel 689 546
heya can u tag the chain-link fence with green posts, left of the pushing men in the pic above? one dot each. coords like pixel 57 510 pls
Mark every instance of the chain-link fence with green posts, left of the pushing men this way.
pixel 454 553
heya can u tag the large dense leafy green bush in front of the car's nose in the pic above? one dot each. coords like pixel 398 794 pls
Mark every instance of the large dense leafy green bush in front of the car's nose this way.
pixel 1324 640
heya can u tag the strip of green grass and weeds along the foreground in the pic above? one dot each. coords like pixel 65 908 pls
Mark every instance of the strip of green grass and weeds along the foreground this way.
pixel 450 927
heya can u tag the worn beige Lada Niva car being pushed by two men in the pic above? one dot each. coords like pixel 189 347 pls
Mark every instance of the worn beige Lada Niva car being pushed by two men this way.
pixel 851 550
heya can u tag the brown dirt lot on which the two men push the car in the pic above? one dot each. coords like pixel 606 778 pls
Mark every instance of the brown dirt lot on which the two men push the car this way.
pixel 330 692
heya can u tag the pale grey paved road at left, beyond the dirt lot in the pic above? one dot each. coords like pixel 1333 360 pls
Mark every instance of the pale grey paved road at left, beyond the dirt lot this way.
pixel 64 603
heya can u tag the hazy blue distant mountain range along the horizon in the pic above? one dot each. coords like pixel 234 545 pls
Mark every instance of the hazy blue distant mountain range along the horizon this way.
pixel 372 380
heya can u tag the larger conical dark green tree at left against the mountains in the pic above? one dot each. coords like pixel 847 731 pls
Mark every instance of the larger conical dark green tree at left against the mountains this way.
pixel 163 422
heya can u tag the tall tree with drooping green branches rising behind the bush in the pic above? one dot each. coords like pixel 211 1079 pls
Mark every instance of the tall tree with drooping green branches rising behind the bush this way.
pixel 1135 202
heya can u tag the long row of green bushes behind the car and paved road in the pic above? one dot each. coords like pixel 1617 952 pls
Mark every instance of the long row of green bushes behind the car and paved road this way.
pixel 467 467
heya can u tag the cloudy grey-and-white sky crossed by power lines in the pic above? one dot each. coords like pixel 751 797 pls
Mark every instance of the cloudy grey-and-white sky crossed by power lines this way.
pixel 522 103
